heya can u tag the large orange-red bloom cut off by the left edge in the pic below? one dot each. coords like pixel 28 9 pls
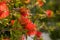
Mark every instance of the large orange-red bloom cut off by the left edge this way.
pixel 4 11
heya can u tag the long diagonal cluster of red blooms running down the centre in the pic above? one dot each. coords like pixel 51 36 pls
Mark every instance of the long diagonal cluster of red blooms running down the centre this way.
pixel 28 24
